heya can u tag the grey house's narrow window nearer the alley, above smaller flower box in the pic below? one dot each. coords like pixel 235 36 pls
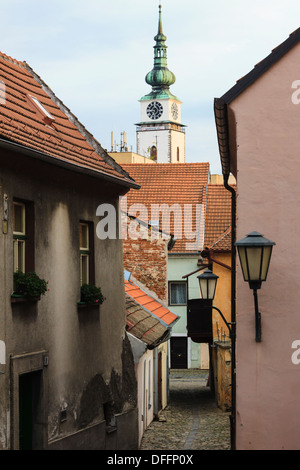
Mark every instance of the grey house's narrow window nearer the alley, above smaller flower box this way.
pixel 86 253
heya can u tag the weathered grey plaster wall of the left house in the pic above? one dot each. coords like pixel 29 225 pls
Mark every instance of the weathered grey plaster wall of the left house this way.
pixel 90 360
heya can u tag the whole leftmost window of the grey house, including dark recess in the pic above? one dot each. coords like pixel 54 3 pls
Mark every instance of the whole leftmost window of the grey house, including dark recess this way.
pixel 23 236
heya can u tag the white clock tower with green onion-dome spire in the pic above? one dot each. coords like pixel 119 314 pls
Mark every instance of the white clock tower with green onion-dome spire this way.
pixel 160 134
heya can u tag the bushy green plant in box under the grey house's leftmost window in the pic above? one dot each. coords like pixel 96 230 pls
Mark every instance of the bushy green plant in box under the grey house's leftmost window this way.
pixel 29 284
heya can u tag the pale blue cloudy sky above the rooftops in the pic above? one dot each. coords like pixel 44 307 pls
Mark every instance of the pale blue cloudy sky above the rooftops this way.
pixel 95 54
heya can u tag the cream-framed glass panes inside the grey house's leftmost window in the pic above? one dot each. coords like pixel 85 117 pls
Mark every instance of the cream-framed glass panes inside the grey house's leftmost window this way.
pixel 19 235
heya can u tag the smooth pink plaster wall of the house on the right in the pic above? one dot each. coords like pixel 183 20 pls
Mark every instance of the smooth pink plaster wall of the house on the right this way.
pixel 267 126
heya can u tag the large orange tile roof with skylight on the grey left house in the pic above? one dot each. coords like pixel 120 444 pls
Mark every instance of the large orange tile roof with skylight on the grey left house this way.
pixel 22 122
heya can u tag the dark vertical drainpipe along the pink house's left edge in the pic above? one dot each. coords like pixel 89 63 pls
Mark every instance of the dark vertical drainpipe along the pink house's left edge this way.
pixel 233 313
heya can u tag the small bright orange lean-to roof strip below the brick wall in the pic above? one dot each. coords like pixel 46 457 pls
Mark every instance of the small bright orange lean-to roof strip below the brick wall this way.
pixel 149 304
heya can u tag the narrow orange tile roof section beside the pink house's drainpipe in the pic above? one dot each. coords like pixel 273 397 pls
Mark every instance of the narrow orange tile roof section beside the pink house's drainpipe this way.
pixel 218 218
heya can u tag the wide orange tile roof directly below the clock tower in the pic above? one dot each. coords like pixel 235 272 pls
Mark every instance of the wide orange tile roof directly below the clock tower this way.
pixel 163 183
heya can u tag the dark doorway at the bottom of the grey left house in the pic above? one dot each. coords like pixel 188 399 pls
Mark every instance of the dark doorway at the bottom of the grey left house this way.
pixel 30 411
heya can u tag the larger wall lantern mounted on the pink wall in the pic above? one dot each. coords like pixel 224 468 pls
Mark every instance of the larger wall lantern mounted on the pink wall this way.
pixel 255 253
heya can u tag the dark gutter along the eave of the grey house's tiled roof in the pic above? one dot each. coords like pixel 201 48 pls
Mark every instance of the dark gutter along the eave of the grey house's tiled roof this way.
pixel 14 147
